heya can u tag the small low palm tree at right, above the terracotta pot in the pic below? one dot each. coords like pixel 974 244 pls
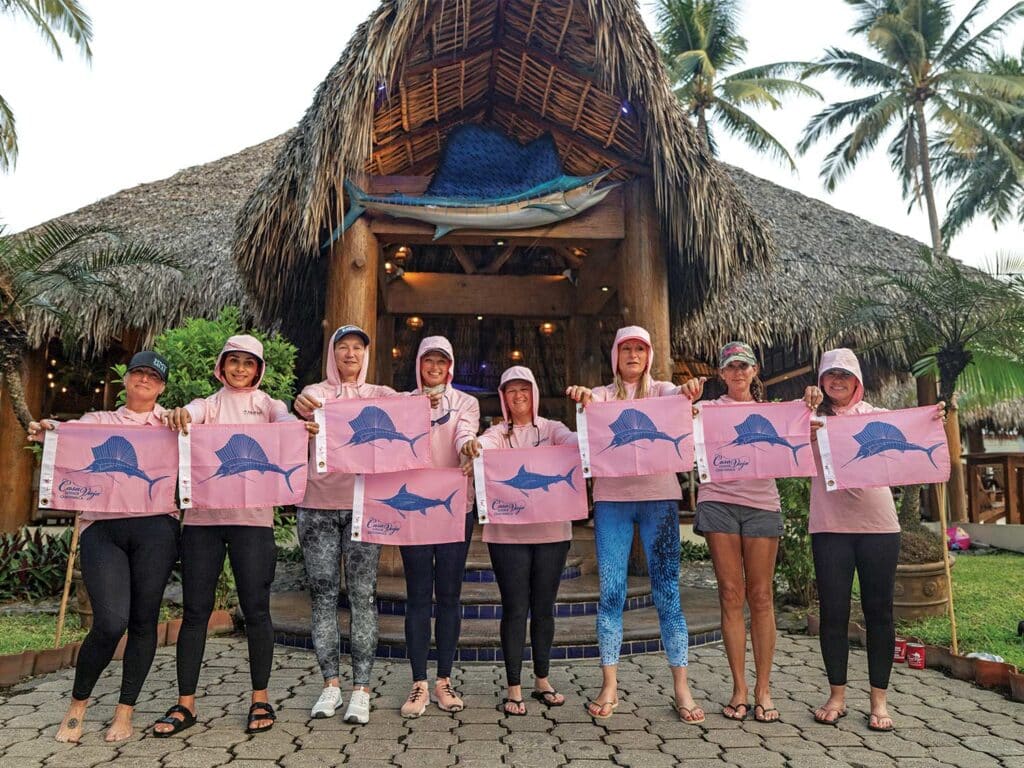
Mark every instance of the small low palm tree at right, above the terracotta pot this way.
pixel 965 325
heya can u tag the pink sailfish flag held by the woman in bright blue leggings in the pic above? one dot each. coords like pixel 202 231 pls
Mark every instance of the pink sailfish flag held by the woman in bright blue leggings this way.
pixel 626 439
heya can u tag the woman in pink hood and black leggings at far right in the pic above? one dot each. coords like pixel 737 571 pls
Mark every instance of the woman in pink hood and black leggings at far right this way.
pixel 852 530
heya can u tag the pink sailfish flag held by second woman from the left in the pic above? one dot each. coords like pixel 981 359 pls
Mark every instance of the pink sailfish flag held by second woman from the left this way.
pixel 243 466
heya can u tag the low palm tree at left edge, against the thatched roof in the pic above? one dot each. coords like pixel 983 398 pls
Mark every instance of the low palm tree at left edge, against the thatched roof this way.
pixel 39 271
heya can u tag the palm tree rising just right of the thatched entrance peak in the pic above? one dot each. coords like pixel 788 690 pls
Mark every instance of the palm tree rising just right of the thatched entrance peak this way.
pixel 699 40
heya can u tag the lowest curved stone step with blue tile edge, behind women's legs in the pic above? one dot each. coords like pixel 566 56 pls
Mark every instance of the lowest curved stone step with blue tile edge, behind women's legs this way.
pixel 576 637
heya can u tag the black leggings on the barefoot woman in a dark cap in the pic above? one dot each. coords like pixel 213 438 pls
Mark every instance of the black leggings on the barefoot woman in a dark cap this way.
pixel 125 566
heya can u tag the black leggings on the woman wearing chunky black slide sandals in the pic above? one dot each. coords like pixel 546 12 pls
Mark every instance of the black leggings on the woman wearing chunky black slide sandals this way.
pixel 254 560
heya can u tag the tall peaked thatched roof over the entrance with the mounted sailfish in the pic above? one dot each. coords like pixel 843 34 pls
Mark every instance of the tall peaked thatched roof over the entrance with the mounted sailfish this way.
pixel 586 71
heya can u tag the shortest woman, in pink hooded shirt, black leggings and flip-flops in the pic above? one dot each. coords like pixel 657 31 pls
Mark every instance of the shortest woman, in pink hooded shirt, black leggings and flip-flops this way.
pixel 528 560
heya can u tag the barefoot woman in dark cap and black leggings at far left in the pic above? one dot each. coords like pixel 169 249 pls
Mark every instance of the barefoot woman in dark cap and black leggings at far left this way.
pixel 126 561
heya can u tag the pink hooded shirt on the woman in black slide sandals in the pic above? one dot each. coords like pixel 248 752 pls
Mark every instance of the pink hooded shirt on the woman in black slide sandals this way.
pixel 237 406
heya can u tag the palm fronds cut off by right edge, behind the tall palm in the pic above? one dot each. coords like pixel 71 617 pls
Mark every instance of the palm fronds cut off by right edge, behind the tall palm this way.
pixel 986 169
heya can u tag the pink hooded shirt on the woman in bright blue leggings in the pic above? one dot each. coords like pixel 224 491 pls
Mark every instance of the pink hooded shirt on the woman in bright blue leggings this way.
pixel 650 488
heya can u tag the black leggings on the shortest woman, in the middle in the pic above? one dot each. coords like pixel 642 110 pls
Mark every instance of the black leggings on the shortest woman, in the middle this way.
pixel 528 578
